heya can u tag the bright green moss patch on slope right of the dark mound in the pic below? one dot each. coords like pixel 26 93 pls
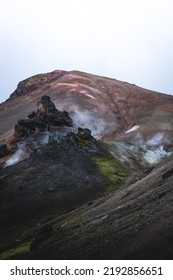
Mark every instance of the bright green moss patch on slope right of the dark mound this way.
pixel 115 172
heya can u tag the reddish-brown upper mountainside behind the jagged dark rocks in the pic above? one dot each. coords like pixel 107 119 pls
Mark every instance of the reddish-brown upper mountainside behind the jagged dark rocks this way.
pixel 116 106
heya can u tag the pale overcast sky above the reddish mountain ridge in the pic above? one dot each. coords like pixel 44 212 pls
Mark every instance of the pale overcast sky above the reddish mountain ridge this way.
pixel 129 40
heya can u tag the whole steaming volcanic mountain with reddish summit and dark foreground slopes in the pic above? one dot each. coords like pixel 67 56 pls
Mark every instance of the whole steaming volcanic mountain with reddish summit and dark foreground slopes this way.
pixel 85 169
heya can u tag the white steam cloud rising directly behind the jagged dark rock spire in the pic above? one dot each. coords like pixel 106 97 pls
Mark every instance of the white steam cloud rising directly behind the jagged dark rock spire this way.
pixel 100 120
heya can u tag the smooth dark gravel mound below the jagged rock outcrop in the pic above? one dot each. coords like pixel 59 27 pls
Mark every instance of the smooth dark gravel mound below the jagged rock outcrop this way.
pixel 56 177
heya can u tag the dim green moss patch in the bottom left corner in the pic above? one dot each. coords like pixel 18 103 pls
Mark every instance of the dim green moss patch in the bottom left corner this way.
pixel 23 248
